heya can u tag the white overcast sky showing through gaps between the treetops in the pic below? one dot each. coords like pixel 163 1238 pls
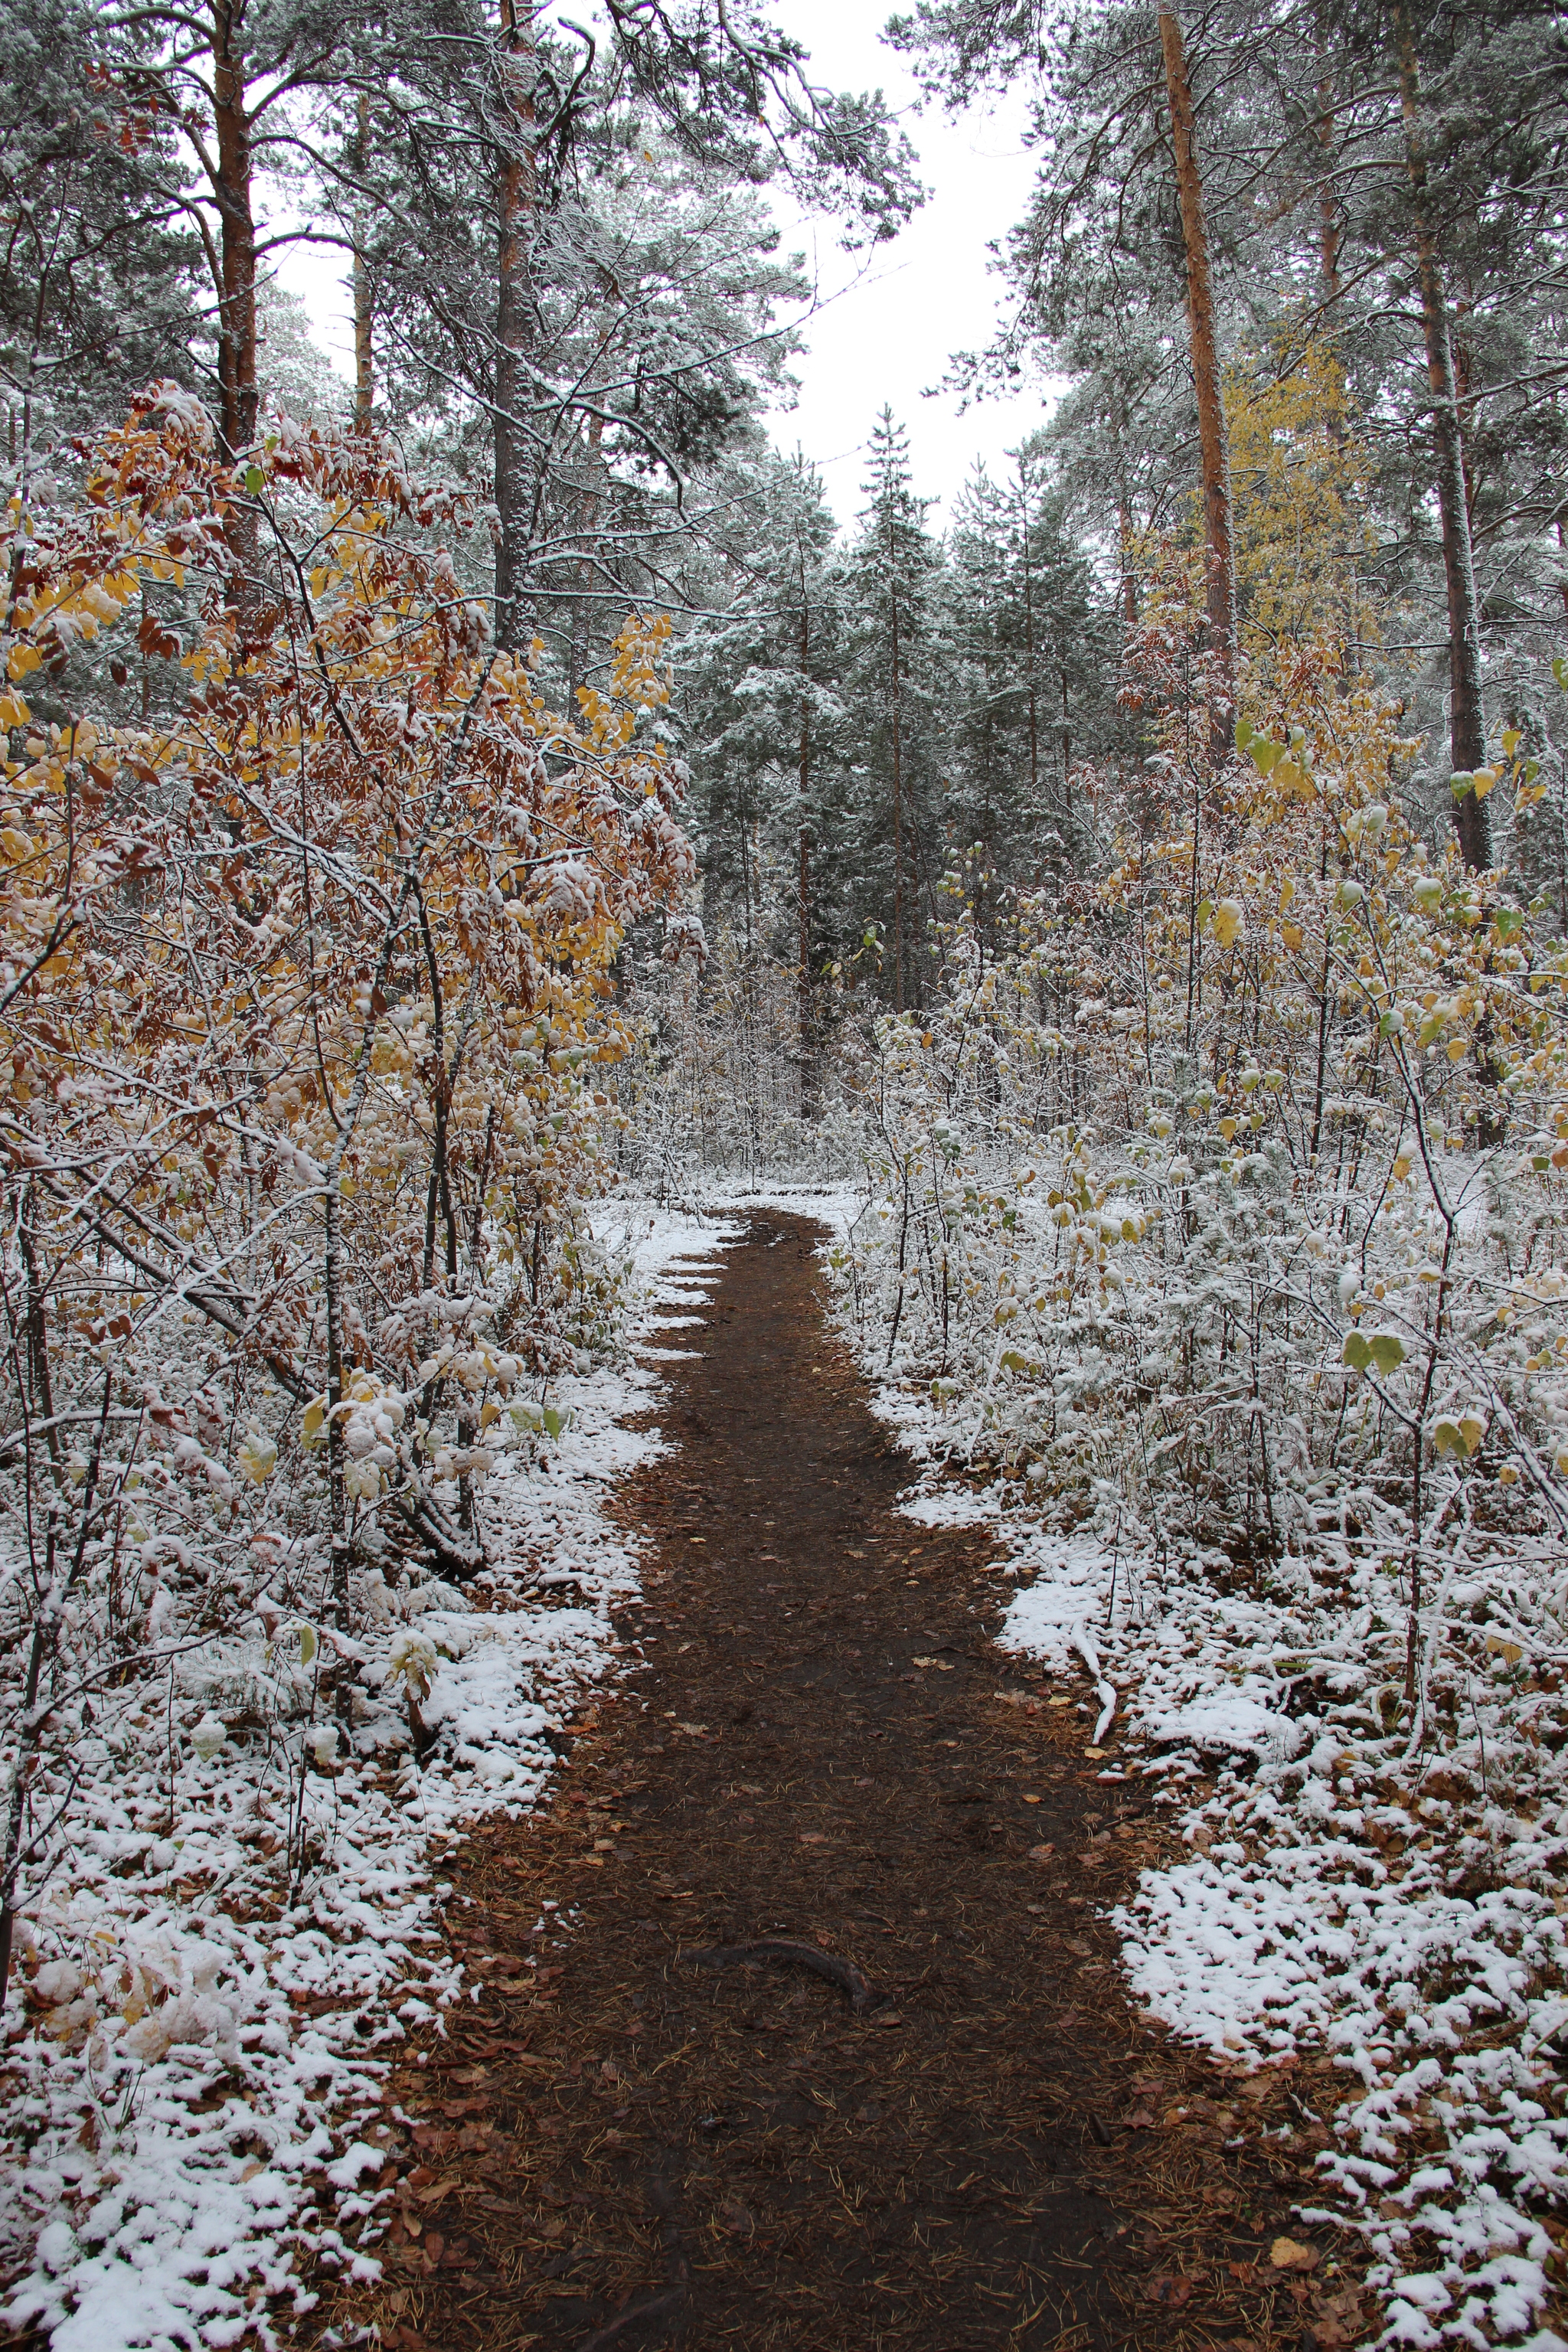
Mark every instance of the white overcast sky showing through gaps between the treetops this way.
pixel 885 323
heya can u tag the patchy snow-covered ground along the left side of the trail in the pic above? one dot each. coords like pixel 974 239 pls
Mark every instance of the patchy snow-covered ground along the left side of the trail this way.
pixel 213 1989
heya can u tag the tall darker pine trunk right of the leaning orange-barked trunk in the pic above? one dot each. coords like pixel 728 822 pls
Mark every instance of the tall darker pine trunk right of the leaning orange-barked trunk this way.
pixel 1466 714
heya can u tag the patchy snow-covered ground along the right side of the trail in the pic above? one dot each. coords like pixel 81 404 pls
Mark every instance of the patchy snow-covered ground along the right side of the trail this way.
pixel 1346 1890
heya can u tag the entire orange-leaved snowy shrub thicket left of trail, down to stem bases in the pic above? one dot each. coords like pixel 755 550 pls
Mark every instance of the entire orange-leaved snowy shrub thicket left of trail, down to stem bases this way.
pixel 307 1003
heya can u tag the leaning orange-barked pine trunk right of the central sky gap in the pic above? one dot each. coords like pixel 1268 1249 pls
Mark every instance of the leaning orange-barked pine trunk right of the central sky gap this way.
pixel 1209 396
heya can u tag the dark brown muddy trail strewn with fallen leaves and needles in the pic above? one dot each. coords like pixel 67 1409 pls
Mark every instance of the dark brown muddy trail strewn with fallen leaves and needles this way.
pixel 824 2040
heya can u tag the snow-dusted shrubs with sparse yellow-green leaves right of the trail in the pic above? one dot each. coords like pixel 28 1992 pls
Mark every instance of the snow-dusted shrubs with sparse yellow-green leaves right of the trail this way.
pixel 1233 1191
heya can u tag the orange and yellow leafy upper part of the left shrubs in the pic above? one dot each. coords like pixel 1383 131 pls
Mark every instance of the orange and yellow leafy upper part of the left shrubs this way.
pixel 307 968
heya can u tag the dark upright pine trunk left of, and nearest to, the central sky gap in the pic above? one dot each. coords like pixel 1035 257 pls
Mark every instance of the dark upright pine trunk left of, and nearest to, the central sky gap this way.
pixel 516 323
